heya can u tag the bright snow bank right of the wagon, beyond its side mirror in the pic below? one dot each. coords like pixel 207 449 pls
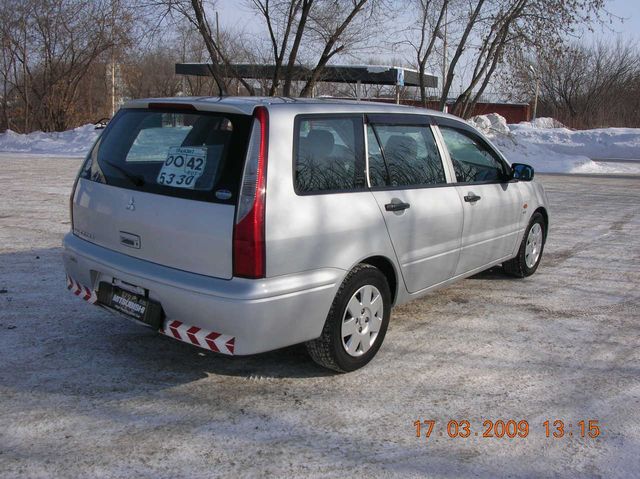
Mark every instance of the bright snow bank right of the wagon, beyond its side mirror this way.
pixel 549 147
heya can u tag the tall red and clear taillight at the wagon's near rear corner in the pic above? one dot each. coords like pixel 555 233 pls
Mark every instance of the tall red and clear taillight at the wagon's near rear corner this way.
pixel 248 234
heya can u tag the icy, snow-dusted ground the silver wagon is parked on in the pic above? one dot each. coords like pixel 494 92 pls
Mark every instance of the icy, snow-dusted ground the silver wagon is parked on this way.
pixel 84 393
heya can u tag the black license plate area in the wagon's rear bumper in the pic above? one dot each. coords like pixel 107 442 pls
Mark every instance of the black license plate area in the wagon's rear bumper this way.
pixel 134 305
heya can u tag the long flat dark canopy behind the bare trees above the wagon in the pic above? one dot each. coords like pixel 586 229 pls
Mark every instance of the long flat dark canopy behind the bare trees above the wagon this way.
pixel 365 74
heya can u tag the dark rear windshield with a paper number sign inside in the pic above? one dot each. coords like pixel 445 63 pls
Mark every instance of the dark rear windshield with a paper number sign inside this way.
pixel 194 155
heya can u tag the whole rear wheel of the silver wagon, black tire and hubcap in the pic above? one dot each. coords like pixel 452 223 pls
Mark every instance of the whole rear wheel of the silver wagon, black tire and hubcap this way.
pixel 356 323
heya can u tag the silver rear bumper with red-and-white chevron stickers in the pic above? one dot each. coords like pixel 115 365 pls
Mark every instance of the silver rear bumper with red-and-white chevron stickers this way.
pixel 260 315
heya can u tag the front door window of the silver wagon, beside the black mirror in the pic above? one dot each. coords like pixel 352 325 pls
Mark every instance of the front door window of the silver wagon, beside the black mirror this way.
pixel 473 162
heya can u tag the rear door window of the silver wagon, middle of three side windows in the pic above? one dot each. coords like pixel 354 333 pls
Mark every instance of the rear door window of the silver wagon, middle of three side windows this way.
pixel 403 155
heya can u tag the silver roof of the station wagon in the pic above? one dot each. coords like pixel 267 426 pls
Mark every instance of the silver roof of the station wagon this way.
pixel 246 104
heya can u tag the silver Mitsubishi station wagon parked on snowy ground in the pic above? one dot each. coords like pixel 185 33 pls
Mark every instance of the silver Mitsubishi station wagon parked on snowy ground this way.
pixel 243 225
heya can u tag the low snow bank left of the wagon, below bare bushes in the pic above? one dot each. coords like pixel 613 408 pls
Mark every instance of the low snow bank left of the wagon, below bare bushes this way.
pixel 76 142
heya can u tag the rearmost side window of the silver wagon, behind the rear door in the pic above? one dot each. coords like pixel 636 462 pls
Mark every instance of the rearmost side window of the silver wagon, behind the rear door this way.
pixel 329 154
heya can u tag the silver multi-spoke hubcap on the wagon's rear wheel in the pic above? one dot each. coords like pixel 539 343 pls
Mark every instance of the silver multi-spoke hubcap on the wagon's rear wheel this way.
pixel 362 320
